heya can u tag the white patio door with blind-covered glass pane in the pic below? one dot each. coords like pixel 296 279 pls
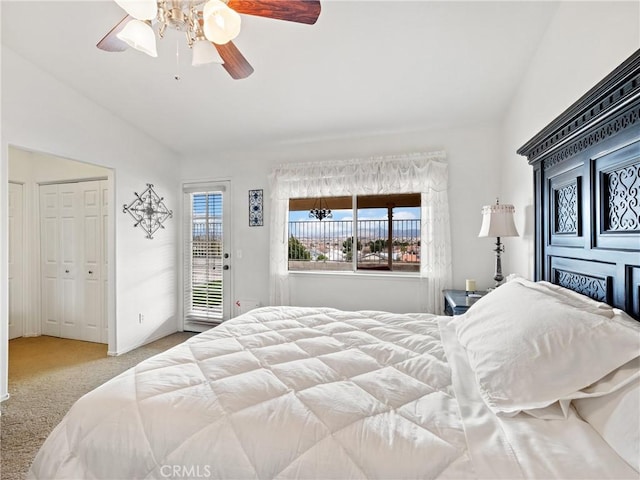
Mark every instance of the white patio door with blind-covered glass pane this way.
pixel 207 250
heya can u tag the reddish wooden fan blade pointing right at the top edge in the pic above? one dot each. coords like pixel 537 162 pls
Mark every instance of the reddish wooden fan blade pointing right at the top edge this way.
pixel 301 11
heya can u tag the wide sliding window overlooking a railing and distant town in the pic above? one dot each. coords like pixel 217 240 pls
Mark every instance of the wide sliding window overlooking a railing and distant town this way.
pixel 364 232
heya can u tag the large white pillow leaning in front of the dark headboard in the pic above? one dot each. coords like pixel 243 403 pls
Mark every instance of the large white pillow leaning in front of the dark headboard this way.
pixel 532 344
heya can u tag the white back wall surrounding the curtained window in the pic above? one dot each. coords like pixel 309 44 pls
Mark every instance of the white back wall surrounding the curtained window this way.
pixel 472 153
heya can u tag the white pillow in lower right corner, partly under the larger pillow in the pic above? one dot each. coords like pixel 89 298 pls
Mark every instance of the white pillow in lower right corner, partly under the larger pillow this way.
pixel 616 416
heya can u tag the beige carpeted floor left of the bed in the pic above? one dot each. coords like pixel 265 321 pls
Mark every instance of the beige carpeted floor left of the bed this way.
pixel 46 376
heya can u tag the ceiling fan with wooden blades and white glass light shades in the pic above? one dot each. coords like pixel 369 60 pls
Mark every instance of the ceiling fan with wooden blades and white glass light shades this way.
pixel 206 23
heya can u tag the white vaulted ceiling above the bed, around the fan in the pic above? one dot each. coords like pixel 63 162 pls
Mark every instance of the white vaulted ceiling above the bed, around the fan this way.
pixel 364 67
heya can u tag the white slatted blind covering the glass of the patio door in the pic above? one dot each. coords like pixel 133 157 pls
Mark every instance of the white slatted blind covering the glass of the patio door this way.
pixel 203 252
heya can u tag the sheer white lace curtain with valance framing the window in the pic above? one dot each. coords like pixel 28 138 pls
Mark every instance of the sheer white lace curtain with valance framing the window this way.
pixel 424 173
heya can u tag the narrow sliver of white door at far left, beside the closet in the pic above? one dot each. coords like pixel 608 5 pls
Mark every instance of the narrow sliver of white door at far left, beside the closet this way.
pixel 16 261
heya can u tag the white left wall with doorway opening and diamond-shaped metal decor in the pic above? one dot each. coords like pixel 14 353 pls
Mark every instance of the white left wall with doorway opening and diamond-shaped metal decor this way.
pixel 43 115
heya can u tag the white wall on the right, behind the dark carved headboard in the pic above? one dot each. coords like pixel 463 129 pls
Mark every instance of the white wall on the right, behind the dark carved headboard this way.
pixel 584 42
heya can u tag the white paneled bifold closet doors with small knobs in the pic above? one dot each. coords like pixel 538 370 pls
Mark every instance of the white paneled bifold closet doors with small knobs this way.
pixel 72 255
